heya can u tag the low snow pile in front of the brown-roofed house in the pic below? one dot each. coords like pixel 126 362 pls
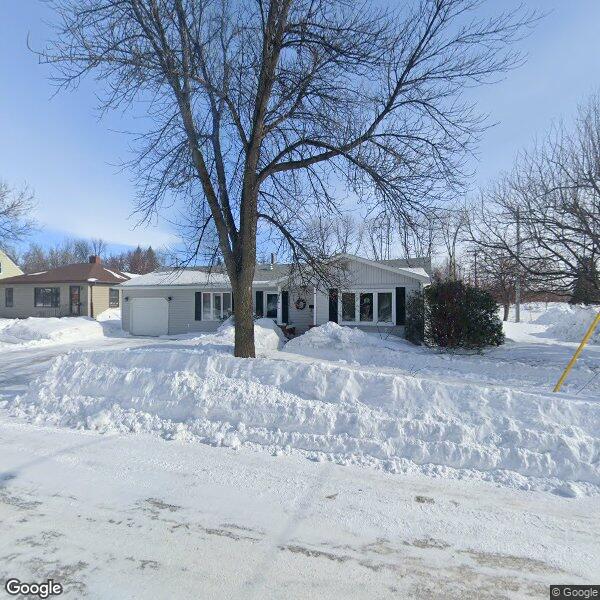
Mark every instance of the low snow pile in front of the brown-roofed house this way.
pixel 36 331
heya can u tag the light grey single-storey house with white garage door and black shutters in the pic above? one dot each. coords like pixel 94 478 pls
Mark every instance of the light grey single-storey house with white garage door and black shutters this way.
pixel 199 299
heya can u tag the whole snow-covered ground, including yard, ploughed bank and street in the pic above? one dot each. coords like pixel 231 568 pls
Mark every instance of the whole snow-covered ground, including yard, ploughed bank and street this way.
pixel 462 473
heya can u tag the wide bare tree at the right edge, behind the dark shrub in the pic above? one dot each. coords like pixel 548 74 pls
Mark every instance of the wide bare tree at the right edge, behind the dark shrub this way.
pixel 554 190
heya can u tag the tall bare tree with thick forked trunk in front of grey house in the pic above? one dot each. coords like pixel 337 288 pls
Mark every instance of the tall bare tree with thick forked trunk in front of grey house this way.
pixel 262 109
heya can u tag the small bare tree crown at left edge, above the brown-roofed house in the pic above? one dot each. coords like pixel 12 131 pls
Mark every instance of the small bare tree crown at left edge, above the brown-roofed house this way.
pixel 16 221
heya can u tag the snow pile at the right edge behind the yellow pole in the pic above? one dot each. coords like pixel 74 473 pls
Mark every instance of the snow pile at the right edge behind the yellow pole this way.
pixel 569 322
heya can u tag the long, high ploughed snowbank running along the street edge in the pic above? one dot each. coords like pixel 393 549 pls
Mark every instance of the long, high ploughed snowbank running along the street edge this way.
pixel 399 423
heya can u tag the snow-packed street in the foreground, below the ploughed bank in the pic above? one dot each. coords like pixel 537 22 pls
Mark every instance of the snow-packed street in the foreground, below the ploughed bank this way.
pixel 124 516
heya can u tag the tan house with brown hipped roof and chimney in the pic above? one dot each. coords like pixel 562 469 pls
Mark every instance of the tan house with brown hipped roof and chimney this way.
pixel 81 289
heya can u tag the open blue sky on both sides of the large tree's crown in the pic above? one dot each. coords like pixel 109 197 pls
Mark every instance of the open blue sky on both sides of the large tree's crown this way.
pixel 60 148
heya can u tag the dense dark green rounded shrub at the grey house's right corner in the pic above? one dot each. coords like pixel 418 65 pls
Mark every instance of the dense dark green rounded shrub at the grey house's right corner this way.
pixel 461 316
